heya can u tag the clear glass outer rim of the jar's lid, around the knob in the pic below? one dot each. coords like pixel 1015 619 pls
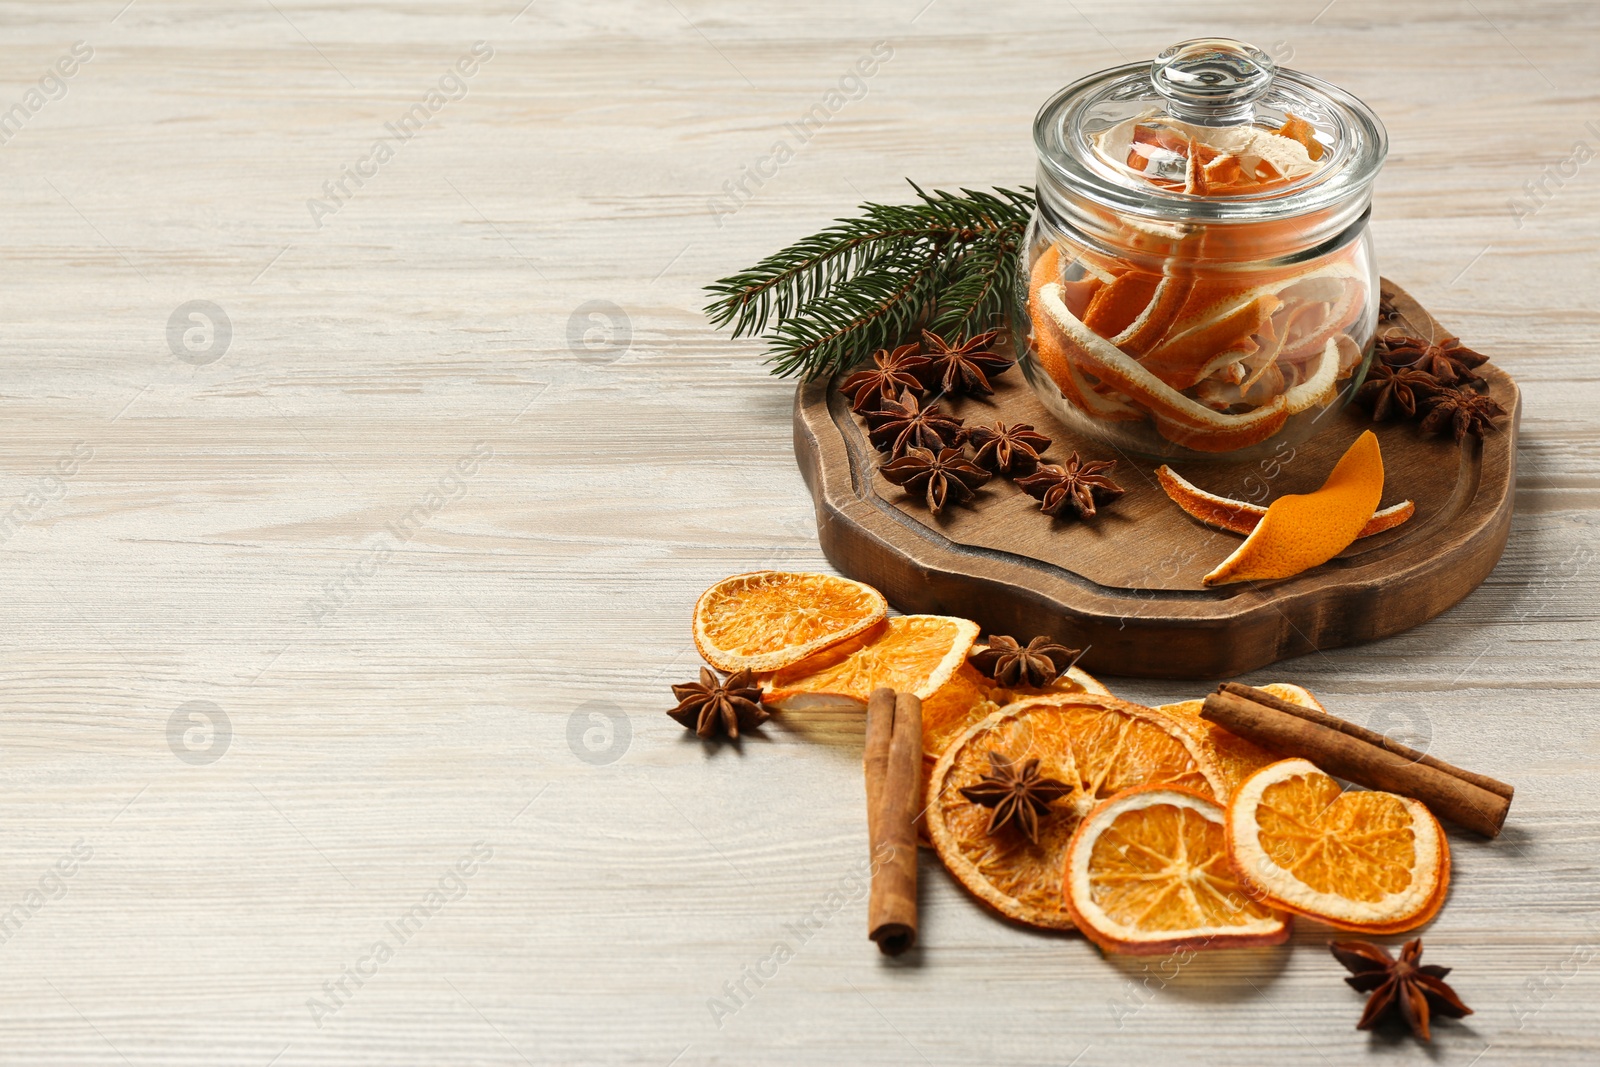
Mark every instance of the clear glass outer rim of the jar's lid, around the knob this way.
pixel 1070 166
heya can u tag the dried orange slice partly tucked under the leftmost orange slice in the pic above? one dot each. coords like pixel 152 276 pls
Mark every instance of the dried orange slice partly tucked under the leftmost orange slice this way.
pixel 911 653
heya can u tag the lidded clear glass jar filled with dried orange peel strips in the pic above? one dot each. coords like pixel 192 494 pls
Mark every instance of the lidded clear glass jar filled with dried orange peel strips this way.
pixel 1199 278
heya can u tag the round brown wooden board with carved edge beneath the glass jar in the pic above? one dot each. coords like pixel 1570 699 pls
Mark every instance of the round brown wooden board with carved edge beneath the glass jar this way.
pixel 1126 586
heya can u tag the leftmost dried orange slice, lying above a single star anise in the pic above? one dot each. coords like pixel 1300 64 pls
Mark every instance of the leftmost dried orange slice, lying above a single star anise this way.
pixel 769 620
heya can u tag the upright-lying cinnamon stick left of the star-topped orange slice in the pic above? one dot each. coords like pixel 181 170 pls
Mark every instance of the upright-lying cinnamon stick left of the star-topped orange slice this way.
pixel 894 769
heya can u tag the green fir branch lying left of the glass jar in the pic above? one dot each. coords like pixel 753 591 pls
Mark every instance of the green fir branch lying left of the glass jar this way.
pixel 873 282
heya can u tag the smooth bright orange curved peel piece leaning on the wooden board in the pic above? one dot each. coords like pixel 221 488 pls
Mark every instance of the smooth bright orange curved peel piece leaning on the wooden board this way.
pixel 1302 532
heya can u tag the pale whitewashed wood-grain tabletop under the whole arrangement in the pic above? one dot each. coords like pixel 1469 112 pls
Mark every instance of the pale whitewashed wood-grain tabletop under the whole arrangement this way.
pixel 428 527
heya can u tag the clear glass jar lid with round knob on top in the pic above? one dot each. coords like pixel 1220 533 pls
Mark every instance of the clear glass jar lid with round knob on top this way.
pixel 1210 130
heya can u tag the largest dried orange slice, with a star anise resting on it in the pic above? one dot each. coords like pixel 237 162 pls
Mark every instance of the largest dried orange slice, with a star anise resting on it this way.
pixel 1097 745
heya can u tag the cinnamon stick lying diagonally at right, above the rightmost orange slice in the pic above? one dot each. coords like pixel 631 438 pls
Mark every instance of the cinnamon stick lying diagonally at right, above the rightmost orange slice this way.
pixel 1361 756
